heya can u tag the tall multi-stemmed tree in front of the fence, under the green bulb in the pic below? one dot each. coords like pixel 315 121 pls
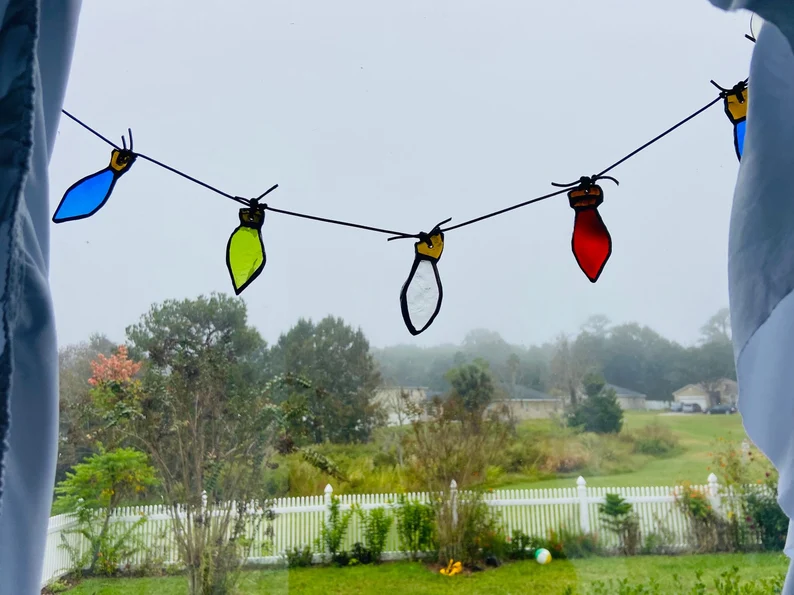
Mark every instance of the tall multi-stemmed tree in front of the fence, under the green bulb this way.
pixel 209 422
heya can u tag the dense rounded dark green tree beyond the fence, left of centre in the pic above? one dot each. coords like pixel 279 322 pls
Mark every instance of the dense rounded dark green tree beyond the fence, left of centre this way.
pixel 337 361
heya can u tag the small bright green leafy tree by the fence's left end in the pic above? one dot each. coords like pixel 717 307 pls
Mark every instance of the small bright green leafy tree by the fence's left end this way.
pixel 94 490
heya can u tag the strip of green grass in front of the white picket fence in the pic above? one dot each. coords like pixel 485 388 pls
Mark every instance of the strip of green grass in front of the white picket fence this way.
pixel 519 577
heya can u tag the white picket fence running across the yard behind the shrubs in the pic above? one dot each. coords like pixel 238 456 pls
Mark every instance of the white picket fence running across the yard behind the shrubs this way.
pixel 298 520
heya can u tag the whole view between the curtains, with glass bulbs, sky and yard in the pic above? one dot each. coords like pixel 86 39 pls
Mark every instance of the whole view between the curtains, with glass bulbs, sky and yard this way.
pixel 279 402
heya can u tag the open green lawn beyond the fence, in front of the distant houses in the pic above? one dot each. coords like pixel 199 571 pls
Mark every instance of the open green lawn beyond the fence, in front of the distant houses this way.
pixel 697 434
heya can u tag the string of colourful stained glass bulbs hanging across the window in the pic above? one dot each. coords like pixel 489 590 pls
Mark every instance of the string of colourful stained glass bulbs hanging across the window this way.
pixel 422 292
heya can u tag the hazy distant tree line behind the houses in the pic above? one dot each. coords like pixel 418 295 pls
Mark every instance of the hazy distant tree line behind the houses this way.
pixel 629 355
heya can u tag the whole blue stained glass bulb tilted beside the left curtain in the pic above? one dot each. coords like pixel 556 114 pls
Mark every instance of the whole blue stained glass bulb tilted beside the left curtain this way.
pixel 87 196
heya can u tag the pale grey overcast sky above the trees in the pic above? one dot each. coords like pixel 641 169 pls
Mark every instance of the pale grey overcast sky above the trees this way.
pixel 400 115
